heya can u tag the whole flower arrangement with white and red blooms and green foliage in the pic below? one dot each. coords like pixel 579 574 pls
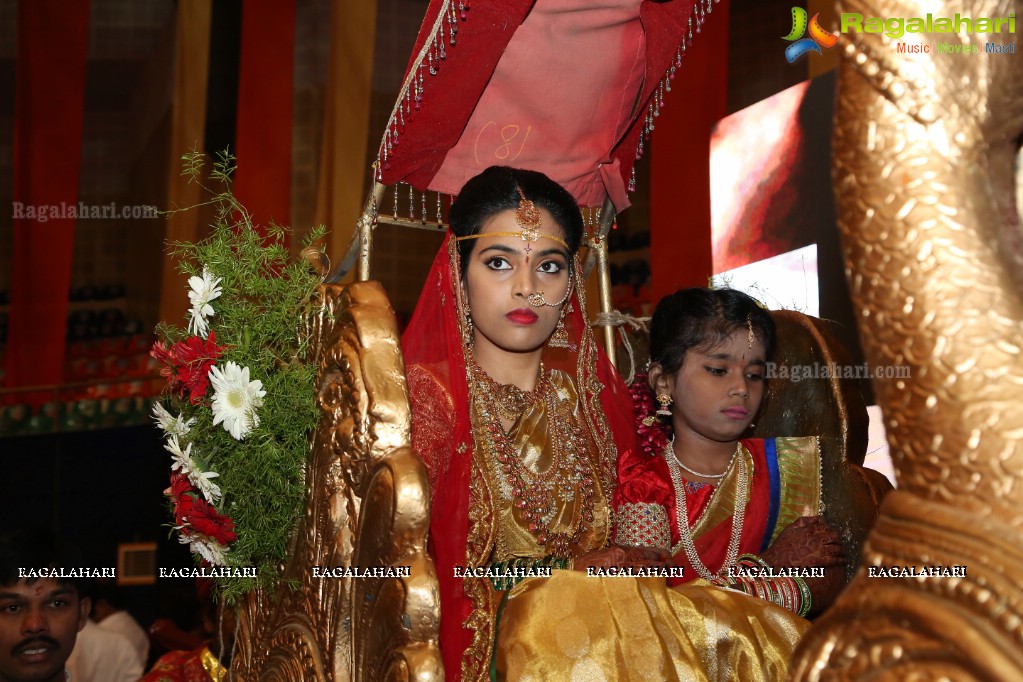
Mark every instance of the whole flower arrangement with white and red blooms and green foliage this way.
pixel 240 401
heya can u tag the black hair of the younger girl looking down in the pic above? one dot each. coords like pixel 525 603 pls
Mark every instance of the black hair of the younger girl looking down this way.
pixel 704 319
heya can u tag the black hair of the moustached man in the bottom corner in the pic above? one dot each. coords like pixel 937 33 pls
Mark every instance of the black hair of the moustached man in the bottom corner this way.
pixel 37 549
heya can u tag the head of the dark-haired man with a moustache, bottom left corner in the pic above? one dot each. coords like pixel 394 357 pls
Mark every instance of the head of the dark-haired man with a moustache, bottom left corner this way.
pixel 40 618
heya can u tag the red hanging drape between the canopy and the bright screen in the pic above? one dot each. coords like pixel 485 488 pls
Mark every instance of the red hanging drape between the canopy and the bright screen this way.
pixel 680 194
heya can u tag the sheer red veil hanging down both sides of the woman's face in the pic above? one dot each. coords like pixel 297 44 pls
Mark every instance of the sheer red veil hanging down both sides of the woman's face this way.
pixel 442 436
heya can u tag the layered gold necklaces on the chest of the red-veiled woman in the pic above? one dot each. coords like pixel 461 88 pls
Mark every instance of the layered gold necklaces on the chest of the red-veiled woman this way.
pixel 537 495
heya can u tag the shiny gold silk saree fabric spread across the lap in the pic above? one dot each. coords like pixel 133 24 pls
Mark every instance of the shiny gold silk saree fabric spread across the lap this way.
pixel 575 627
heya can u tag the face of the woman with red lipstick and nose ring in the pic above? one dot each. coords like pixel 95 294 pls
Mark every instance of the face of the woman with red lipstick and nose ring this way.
pixel 503 271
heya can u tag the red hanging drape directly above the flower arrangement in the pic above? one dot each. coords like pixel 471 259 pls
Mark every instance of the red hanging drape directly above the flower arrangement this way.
pixel 263 143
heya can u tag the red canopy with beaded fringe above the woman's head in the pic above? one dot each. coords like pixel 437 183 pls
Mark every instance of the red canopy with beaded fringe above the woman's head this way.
pixel 567 87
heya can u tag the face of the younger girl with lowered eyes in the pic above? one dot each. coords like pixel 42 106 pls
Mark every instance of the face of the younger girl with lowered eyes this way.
pixel 718 391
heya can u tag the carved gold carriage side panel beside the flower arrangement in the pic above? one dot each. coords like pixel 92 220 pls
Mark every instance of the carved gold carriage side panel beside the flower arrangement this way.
pixel 368 506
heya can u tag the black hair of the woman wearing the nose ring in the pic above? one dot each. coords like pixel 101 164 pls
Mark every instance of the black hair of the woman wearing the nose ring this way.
pixel 497 190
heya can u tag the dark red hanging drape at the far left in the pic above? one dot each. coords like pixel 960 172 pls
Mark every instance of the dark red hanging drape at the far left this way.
pixel 50 89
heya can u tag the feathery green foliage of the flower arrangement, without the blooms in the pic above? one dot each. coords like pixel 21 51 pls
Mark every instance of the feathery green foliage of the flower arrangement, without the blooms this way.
pixel 257 320
